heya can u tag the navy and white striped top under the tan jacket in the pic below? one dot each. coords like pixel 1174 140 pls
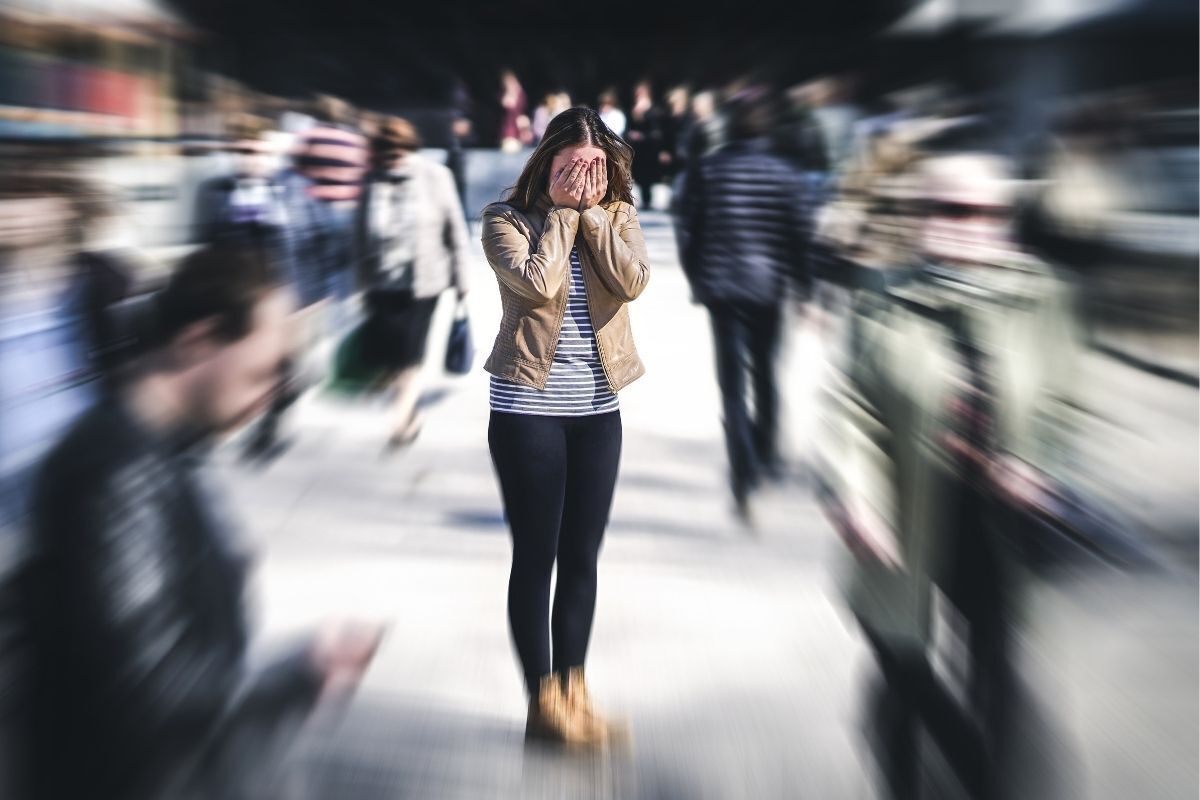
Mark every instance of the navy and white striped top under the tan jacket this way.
pixel 577 386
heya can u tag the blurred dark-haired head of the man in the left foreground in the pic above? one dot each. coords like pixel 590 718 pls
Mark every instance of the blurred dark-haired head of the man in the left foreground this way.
pixel 221 339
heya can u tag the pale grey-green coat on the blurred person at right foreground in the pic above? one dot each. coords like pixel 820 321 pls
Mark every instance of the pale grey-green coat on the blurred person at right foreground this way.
pixel 881 441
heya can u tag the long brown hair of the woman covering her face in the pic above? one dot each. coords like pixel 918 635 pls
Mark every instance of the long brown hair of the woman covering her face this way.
pixel 572 129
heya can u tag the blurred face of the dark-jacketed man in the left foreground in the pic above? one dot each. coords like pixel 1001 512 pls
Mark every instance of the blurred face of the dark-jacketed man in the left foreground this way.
pixel 236 381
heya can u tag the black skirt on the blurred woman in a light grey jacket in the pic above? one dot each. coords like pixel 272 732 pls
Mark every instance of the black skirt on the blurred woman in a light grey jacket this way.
pixel 397 329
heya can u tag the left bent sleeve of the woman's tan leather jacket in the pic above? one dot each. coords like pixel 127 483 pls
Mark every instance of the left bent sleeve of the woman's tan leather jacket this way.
pixel 537 276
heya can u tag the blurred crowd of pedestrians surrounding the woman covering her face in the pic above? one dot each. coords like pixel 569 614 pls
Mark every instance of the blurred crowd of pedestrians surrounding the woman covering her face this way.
pixel 956 269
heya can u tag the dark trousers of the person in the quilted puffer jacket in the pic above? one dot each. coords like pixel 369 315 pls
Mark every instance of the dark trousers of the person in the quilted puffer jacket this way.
pixel 747 339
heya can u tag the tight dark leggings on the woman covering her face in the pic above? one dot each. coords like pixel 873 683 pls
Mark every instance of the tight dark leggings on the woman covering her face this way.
pixel 557 477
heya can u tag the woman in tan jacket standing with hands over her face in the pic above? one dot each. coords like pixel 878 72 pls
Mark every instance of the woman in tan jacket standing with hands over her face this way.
pixel 569 257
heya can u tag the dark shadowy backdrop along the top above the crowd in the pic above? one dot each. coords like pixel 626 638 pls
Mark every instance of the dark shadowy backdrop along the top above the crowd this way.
pixel 423 61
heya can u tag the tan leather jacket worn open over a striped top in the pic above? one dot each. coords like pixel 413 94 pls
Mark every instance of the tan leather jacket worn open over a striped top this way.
pixel 531 256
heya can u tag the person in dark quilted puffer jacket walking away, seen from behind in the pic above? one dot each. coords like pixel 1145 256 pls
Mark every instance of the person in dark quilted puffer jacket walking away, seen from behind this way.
pixel 742 236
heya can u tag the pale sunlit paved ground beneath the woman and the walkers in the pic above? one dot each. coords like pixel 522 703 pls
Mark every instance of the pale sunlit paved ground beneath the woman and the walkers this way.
pixel 728 652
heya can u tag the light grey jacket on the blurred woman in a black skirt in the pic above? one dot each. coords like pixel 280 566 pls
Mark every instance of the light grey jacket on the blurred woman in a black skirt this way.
pixel 439 231
